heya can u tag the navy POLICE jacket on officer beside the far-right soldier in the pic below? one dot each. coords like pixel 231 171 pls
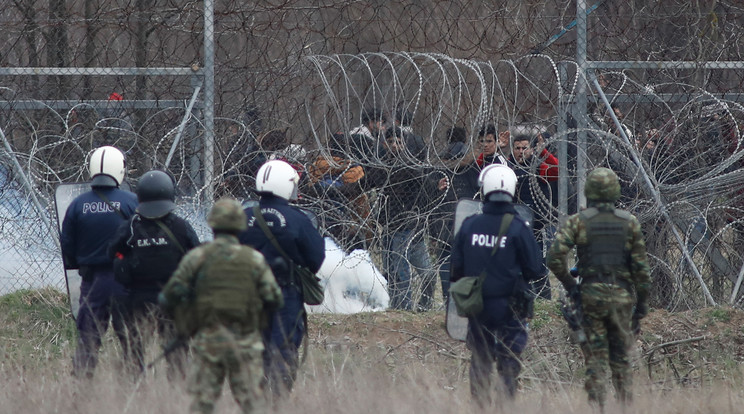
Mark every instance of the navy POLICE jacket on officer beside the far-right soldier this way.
pixel 519 256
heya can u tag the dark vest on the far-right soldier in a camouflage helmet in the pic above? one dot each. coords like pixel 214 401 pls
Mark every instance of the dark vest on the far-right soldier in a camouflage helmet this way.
pixel 604 253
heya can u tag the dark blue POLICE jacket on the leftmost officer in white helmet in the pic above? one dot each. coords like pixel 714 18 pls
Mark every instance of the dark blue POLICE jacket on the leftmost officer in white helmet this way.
pixel 90 224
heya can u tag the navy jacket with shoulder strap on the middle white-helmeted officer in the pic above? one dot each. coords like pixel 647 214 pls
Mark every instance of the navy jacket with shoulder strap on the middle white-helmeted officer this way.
pixel 293 230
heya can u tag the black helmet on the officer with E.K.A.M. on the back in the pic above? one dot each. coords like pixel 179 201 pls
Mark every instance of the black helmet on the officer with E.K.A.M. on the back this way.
pixel 156 194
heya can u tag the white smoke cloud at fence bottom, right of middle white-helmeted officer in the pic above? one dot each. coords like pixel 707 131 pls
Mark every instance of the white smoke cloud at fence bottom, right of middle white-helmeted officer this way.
pixel 352 283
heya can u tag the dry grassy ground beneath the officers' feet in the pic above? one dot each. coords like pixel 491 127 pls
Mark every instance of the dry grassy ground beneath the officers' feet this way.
pixel 386 362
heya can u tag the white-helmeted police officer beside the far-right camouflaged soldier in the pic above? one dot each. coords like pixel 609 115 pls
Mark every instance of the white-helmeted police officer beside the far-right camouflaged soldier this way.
pixel 499 332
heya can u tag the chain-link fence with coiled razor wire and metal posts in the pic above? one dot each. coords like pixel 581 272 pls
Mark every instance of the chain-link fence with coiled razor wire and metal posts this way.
pixel 298 79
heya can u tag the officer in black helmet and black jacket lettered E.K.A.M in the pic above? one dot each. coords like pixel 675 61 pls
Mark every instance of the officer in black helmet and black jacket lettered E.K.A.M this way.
pixel 146 250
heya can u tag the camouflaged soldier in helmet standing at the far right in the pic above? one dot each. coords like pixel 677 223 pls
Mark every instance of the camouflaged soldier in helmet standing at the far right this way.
pixel 613 266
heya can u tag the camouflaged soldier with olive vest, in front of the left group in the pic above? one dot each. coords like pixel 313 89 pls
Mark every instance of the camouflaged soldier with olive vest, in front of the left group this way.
pixel 229 287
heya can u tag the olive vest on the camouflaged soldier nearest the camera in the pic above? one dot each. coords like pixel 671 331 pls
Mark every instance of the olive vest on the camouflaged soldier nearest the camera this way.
pixel 226 291
